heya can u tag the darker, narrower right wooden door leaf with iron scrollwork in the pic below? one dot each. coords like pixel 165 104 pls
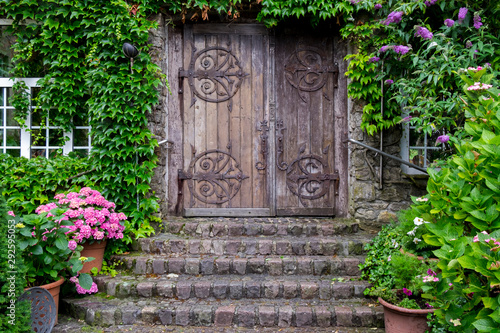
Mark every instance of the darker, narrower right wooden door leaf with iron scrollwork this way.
pixel 305 73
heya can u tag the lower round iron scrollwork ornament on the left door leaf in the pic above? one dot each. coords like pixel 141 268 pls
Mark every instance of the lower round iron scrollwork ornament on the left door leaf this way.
pixel 213 177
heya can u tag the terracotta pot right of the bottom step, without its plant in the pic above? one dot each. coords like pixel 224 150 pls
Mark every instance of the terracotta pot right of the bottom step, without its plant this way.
pixel 402 320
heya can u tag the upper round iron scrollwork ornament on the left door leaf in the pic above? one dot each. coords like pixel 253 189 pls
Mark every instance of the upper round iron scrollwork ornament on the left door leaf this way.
pixel 214 75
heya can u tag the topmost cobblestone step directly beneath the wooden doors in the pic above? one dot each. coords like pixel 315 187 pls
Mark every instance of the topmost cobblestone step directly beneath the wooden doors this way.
pixel 220 227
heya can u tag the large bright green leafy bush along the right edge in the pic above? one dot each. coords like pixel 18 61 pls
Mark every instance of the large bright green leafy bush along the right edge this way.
pixel 463 209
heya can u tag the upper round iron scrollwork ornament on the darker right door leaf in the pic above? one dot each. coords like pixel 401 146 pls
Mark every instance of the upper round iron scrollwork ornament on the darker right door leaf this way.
pixel 307 70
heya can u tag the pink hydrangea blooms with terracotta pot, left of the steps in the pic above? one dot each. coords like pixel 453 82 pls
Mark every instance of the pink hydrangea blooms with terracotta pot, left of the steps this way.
pixel 94 221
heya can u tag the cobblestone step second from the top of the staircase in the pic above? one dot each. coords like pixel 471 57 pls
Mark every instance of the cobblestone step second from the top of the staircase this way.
pixel 265 245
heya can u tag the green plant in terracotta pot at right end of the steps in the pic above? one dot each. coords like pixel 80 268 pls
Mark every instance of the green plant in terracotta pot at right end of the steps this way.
pixel 402 283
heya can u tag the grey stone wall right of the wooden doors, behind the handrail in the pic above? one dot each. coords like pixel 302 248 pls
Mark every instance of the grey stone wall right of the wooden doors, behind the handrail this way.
pixel 371 200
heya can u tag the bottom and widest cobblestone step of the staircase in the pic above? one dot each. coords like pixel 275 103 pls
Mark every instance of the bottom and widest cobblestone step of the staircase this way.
pixel 98 311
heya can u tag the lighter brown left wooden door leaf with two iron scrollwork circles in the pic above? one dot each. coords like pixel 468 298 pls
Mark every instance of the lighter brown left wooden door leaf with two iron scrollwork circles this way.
pixel 224 80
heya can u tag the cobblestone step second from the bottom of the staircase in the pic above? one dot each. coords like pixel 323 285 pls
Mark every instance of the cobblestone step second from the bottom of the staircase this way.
pixel 232 287
